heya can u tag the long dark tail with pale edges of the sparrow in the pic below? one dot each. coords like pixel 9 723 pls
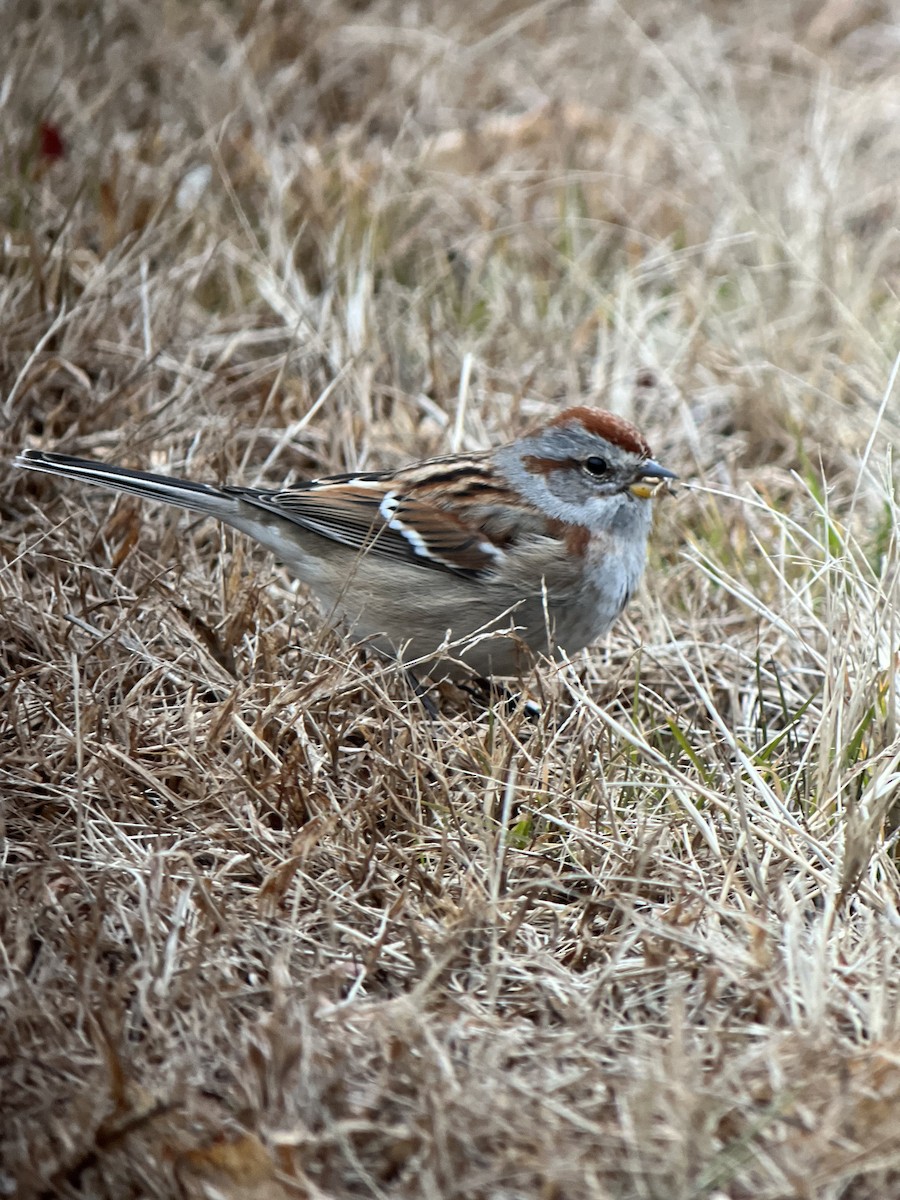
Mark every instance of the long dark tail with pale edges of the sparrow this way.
pixel 185 495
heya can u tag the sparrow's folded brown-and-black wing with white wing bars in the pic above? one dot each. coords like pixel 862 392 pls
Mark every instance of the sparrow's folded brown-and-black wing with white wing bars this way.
pixel 368 514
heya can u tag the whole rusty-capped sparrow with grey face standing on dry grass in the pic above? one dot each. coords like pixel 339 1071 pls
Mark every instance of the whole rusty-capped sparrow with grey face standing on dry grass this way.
pixel 537 545
